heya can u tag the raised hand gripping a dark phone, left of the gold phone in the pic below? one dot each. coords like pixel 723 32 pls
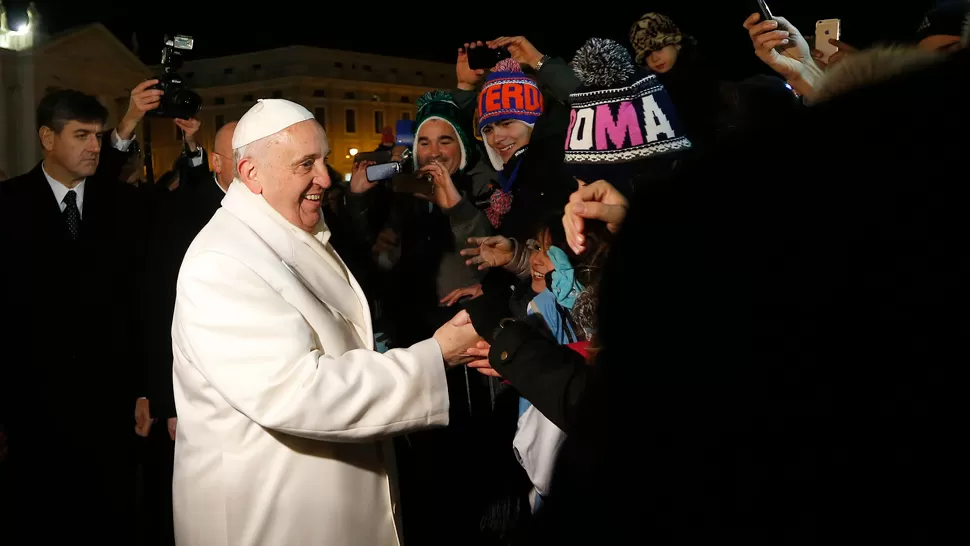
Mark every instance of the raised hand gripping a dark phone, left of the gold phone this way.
pixel 768 37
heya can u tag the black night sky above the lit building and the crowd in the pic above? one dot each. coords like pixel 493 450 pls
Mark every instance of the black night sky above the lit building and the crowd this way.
pixel 221 28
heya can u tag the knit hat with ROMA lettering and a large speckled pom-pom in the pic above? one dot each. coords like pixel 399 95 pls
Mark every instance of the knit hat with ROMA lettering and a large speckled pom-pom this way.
pixel 621 114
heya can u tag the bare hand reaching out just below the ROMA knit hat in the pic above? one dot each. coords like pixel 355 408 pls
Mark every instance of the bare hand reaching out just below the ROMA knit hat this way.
pixel 596 201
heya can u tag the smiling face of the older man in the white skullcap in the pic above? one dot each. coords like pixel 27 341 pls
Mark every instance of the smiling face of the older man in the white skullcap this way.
pixel 289 170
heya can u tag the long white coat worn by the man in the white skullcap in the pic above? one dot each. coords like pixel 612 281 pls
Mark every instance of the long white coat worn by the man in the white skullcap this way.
pixel 284 408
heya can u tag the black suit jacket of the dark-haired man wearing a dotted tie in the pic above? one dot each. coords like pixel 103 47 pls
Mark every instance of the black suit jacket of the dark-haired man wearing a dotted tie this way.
pixel 72 331
